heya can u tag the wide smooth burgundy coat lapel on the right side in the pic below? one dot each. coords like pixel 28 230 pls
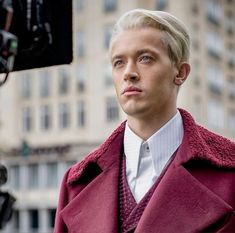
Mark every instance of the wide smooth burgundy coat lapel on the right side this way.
pixel 181 204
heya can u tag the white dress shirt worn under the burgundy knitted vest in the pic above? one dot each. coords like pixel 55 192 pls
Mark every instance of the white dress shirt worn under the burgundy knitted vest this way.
pixel 145 160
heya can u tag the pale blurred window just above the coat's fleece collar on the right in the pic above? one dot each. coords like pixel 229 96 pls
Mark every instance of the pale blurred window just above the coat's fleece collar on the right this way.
pixel 215 114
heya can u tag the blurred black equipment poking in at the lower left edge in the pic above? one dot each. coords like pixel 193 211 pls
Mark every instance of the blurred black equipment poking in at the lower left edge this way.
pixel 6 200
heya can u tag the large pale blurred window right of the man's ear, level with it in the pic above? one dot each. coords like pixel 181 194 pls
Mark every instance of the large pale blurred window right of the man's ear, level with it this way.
pixel 215 79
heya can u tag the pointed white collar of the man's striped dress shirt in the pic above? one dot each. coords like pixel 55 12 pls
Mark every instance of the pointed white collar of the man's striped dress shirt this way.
pixel 162 144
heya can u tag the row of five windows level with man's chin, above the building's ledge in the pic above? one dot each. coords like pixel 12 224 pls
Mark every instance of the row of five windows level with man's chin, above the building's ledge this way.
pixel 64 115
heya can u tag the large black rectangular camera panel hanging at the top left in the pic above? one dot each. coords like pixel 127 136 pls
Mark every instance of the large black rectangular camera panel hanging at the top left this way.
pixel 44 31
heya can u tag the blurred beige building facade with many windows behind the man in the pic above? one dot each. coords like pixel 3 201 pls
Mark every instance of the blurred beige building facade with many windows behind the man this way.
pixel 52 117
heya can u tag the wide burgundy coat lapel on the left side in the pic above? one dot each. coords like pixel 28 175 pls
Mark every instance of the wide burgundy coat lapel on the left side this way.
pixel 95 208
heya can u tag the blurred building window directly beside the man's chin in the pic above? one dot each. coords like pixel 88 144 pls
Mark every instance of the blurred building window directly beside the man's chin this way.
pixel 112 109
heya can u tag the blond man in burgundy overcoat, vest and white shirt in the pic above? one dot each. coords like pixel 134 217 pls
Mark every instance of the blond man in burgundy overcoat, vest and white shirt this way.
pixel 159 171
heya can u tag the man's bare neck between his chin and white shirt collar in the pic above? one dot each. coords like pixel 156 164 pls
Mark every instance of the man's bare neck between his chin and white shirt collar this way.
pixel 146 127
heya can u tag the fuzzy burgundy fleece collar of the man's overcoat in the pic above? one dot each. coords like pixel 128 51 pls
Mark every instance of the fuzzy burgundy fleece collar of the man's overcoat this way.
pixel 202 144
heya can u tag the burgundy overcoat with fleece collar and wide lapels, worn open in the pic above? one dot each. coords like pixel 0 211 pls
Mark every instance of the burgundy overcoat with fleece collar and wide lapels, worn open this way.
pixel 196 193
